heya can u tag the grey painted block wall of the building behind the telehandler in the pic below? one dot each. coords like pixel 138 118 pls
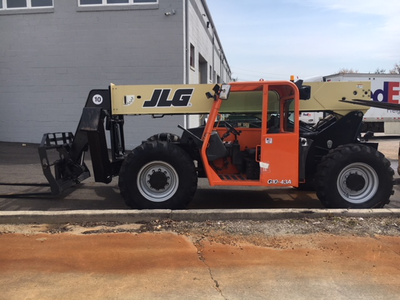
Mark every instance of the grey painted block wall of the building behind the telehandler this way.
pixel 51 58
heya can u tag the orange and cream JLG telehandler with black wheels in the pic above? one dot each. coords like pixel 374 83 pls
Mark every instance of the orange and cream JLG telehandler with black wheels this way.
pixel 252 137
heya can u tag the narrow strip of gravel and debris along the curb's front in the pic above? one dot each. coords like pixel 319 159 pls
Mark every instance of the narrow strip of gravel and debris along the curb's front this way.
pixel 254 232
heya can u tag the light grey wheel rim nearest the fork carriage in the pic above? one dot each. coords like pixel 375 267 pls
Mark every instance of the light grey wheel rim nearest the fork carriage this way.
pixel 157 181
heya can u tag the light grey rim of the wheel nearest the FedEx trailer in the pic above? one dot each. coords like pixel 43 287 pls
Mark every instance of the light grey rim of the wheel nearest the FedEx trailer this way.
pixel 357 183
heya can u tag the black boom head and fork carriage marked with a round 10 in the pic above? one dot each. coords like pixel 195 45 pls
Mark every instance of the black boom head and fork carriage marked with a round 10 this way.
pixel 70 168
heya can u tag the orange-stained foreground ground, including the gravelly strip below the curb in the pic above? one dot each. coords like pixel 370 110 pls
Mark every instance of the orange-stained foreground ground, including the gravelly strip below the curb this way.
pixel 326 258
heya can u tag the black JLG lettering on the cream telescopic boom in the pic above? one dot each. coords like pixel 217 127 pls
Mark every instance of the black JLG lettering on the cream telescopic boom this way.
pixel 160 98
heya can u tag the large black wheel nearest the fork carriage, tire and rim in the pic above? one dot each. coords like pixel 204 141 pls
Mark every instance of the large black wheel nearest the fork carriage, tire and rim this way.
pixel 158 175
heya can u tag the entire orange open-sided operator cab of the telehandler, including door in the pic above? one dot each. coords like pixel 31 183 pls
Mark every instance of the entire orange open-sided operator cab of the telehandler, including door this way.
pixel 254 138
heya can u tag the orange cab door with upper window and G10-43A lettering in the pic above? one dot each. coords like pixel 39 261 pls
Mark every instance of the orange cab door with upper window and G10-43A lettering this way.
pixel 279 148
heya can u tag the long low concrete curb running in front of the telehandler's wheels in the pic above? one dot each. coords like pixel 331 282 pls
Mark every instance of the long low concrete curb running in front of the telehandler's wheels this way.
pixel 134 216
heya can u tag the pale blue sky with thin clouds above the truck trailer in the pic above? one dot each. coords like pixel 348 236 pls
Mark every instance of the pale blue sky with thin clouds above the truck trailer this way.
pixel 273 39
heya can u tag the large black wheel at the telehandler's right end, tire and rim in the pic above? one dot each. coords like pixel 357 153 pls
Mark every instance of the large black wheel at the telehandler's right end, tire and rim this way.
pixel 354 176
